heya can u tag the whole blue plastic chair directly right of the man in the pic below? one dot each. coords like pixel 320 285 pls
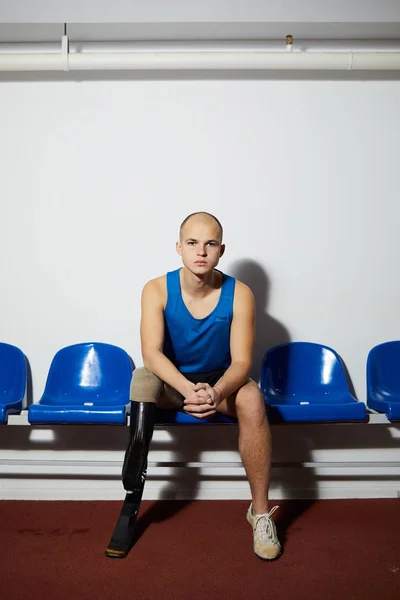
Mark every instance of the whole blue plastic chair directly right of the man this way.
pixel 306 382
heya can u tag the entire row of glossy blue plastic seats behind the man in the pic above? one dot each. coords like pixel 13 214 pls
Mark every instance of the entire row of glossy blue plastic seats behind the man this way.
pixel 300 382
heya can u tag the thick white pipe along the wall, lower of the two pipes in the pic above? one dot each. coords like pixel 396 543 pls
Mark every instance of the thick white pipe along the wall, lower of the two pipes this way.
pixel 195 60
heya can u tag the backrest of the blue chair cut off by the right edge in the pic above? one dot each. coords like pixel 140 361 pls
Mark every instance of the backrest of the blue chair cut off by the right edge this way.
pixel 383 368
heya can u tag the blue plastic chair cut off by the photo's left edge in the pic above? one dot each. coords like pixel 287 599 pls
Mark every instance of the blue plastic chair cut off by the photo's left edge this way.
pixel 12 380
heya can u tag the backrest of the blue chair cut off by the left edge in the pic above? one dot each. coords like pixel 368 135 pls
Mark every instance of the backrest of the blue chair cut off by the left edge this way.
pixel 12 373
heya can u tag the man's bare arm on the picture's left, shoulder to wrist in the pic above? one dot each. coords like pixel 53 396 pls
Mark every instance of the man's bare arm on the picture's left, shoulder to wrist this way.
pixel 152 338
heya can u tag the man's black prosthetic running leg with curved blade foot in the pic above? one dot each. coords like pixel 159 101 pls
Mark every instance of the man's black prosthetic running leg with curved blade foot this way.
pixel 134 472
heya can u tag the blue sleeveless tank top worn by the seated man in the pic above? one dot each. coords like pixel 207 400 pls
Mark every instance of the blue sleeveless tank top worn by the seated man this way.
pixel 198 345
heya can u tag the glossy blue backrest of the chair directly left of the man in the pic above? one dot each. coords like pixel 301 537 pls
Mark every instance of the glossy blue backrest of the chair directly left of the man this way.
pixel 96 369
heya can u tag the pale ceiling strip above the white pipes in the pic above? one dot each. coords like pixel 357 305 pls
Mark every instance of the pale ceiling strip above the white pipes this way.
pixel 132 20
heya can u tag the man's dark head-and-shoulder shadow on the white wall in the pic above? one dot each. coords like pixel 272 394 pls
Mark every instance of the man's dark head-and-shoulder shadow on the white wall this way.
pixel 269 331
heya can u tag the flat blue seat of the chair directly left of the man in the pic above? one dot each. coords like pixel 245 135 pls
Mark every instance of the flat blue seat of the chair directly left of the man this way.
pixel 44 413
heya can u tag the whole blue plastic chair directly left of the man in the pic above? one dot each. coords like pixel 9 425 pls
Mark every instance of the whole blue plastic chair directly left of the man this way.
pixel 87 383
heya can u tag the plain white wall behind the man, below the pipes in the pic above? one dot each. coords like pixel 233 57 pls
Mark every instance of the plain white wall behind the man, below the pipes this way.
pixel 96 177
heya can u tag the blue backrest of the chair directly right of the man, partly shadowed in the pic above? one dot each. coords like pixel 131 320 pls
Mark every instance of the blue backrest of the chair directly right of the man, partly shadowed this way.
pixel 302 368
